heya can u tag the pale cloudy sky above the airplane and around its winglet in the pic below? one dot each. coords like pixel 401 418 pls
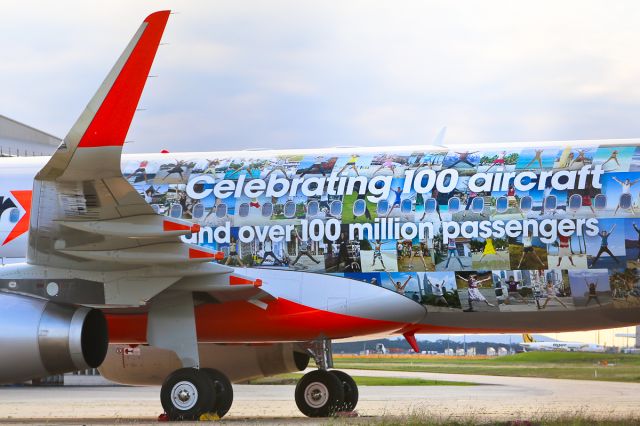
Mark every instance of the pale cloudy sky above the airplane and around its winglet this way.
pixel 291 74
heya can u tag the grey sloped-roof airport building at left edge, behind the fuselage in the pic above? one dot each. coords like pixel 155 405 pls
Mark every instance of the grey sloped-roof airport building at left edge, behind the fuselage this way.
pixel 19 140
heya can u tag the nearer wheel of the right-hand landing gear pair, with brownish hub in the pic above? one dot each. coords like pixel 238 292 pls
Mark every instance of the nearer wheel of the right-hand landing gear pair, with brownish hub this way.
pixel 319 394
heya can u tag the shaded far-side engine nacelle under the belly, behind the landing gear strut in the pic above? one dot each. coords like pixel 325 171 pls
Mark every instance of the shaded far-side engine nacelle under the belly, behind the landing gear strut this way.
pixel 147 365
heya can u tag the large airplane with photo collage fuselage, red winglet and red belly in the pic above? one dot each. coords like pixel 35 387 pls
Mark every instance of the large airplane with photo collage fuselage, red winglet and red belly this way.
pixel 194 271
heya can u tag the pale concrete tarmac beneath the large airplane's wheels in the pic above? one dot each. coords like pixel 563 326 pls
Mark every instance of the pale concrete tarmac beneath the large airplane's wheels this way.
pixel 89 400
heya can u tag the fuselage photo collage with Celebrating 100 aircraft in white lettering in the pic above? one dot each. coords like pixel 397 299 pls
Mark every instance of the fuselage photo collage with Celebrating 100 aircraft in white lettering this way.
pixel 537 229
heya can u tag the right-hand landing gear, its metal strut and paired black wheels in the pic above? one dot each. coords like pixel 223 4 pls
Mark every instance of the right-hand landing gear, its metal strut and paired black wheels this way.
pixel 323 393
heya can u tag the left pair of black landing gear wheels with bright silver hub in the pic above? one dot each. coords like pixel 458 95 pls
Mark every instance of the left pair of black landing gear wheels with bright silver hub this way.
pixel 189 393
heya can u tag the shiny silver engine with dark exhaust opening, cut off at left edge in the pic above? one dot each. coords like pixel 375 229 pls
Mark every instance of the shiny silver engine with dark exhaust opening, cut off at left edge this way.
pixel 41 338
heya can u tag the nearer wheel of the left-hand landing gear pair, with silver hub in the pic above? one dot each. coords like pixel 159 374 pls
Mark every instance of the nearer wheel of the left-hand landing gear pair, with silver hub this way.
pixel 187 394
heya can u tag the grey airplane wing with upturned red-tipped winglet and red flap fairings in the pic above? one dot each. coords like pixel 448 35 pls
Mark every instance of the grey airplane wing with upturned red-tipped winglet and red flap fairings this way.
pixel 86 217
